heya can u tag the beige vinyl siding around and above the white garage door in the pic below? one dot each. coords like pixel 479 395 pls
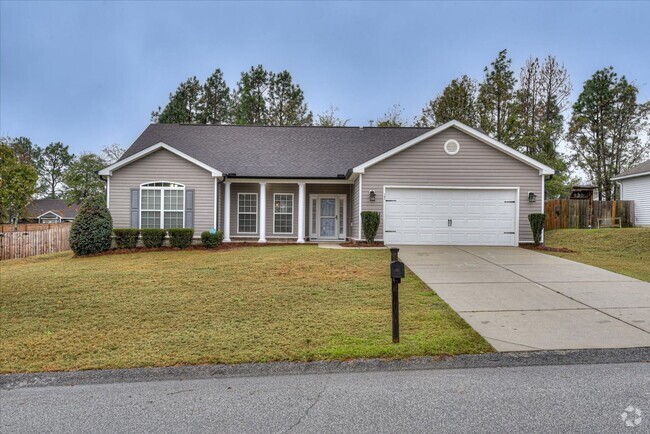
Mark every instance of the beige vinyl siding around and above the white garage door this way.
pixel 476 165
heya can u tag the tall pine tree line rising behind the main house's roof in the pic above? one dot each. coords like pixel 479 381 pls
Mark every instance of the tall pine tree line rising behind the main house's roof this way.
pixel 607 131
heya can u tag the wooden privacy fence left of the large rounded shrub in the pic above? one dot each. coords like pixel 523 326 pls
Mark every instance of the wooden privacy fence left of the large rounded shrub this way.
pixel 21 244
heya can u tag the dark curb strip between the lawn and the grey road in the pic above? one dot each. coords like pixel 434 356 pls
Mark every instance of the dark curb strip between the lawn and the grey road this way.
pixel 466 361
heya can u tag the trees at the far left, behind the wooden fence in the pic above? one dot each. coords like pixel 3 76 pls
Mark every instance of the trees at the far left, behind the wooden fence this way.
pixel 29 171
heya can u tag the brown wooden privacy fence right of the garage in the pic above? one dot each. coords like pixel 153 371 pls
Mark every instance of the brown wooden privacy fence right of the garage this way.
pixel 582 214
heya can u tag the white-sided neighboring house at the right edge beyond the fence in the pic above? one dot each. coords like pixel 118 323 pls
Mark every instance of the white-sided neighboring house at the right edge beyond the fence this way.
pixel 635 185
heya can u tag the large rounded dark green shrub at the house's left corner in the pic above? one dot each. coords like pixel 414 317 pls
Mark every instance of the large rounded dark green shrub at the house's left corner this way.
pixel 92 229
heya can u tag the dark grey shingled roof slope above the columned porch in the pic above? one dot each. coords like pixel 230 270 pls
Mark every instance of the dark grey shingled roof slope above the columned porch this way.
pixel 284 152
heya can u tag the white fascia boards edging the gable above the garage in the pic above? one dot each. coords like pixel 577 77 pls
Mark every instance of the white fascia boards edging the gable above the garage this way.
pixel 543 169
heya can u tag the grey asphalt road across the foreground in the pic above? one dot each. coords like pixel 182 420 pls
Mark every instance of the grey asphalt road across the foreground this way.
pixel 575 398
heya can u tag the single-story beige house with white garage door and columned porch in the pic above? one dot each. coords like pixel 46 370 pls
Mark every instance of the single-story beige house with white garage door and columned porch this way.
pixel 448 185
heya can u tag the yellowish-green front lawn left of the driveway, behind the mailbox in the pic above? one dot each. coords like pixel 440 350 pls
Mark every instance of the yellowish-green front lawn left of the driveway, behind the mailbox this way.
pixel 251 304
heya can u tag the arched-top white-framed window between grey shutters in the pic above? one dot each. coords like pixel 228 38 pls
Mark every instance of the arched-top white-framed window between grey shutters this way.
pixel 162 205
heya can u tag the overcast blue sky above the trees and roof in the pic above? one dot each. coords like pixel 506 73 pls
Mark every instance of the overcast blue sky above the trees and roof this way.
pixel 89 74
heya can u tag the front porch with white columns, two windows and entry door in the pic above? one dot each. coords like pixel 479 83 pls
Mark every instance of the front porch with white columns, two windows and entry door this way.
pixel 281 210
